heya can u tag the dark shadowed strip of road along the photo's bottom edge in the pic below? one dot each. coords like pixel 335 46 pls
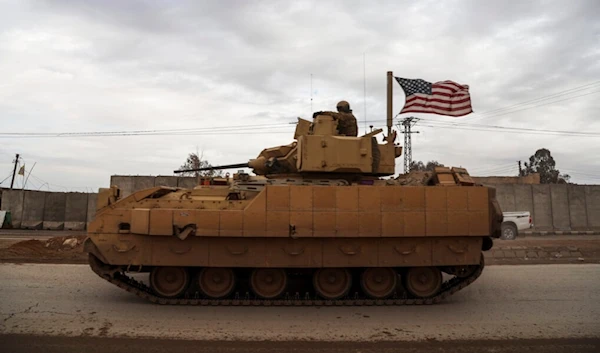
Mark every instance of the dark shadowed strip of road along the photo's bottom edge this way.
pixel 59 344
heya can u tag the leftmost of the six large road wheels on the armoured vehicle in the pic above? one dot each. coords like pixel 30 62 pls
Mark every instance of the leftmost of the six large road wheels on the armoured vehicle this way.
pixel 169 282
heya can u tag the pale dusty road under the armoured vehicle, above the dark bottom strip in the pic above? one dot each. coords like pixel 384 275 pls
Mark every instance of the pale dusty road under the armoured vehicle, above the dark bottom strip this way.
pixel 506 302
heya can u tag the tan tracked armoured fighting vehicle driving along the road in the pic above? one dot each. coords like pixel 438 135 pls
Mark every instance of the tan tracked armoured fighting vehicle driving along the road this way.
pixel 316 225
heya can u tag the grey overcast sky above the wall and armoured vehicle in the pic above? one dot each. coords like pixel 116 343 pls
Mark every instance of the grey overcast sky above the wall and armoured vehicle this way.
pixel 88 66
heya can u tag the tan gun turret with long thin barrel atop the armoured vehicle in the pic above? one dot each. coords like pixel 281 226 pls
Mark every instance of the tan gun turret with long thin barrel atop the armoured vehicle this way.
pixel 319 149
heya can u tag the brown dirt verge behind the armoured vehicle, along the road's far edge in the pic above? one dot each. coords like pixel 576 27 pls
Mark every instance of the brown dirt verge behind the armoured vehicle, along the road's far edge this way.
pixel 48 247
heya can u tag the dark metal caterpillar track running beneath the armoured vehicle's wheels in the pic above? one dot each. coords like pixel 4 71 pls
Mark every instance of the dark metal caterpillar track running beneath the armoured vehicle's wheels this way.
pixel 118 277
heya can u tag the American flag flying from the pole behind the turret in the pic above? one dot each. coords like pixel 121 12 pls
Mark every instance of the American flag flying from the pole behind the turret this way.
pixel 444 98
